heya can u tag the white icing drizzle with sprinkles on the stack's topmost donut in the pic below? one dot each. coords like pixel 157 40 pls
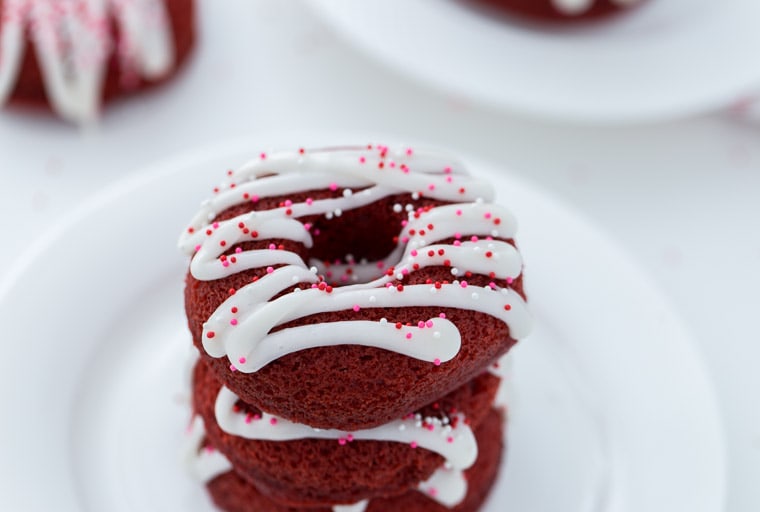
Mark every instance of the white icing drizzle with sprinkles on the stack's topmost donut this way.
pixel 241 327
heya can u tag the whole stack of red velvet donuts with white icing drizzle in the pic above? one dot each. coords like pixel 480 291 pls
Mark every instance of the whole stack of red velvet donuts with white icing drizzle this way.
pixel 350 307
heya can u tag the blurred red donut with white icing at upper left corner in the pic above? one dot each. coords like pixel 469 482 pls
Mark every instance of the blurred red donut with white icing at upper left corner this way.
pixel 70 55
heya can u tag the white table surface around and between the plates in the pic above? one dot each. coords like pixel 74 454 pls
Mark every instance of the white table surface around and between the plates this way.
pixel 683 197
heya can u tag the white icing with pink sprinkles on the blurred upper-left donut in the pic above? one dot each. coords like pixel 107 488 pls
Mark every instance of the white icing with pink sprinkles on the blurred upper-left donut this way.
pixel 73 43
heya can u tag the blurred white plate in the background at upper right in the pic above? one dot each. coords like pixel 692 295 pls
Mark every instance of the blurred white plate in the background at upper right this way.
pixel 663 59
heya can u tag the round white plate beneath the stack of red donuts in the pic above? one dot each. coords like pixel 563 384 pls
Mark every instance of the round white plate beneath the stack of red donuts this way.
pixel 614 411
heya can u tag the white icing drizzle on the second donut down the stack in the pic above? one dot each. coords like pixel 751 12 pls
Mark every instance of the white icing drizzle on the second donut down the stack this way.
pixel 456 444
